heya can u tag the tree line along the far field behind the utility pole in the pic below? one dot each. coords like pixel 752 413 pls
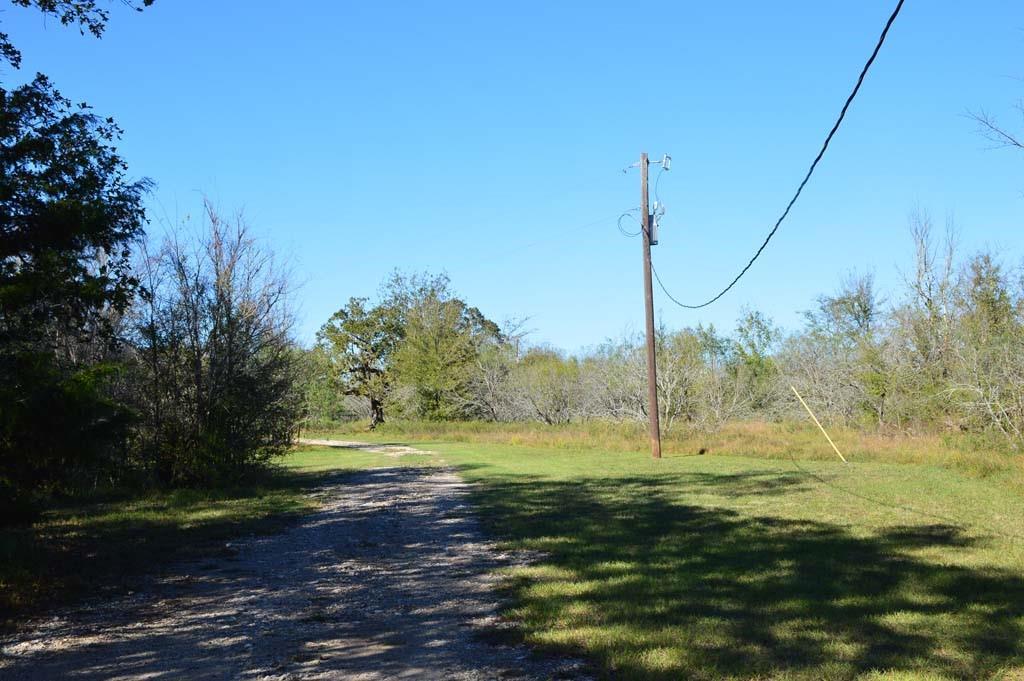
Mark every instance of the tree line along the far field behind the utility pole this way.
pixel 944 354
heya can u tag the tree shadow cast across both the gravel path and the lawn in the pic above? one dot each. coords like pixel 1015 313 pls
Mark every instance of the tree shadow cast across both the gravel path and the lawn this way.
pixel 628 573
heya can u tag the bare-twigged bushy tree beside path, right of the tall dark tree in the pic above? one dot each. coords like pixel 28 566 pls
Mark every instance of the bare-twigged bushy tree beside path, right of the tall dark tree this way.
pixel 218 370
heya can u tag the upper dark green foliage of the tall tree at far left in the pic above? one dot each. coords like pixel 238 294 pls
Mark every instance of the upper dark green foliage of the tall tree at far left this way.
pixel 68 217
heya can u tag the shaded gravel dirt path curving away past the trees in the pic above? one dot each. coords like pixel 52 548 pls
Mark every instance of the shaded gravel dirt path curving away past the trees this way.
pixel 389 581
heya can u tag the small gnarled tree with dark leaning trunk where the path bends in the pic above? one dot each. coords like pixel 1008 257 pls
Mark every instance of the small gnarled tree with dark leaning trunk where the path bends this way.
pixel 360 344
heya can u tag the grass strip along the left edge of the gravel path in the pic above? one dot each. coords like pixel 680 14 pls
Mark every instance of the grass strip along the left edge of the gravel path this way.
pixel 88 546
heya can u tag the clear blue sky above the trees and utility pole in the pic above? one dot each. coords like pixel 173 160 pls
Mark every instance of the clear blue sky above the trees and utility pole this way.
pixel 365 137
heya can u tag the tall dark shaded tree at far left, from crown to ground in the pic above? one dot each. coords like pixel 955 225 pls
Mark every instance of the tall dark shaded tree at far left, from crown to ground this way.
pixel 68 218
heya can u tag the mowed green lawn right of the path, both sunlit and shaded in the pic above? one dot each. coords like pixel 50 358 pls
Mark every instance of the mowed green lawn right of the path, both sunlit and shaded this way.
pixel 729 568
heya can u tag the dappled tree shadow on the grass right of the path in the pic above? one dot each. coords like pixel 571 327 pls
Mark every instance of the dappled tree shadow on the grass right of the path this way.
pixel 652 587
